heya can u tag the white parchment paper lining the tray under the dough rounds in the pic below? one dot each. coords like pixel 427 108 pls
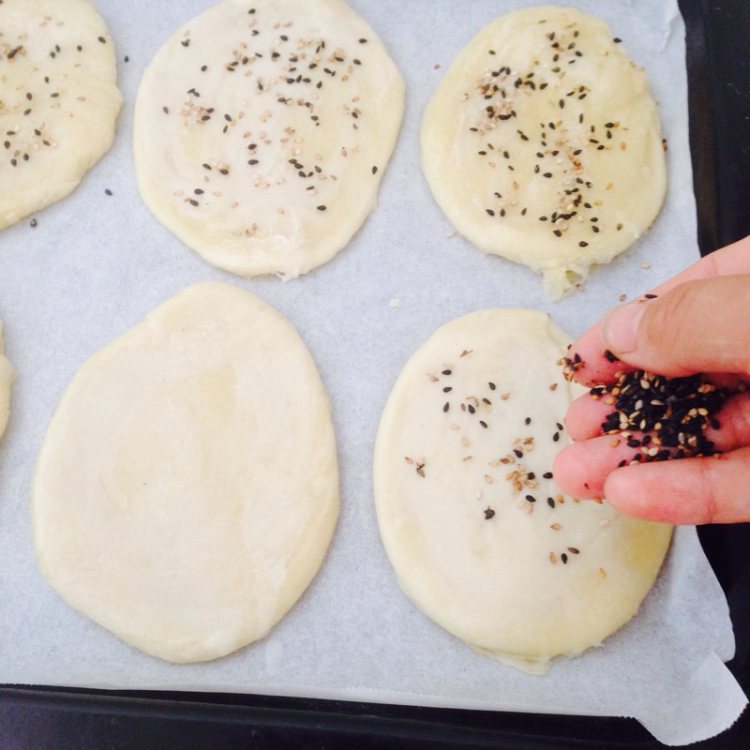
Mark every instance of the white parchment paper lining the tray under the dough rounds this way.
pixel 95 265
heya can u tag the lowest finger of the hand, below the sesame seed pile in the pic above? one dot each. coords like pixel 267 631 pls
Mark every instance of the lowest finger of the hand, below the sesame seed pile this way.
pixel 688 491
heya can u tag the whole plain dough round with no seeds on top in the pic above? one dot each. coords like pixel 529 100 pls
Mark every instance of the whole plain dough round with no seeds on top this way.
pixel 187 488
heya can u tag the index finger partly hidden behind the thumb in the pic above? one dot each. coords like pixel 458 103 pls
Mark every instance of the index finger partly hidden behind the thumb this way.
pixel 731 260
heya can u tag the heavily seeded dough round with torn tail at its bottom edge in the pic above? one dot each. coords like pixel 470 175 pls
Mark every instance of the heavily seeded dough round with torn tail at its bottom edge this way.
pixel 543 144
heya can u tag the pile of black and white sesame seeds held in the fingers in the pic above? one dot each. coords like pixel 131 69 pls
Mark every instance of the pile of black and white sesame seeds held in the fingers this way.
pixel 663 418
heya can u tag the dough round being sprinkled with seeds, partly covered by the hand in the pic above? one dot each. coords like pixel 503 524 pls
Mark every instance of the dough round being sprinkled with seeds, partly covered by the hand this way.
pixel 481 541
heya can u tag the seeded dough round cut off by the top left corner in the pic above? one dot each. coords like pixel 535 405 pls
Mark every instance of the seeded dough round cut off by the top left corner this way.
pixel 59 101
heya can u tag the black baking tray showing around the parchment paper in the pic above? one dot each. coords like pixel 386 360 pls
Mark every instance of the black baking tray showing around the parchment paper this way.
pixel 42 718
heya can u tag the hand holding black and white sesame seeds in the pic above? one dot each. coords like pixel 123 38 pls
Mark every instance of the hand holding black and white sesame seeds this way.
pixel 698 322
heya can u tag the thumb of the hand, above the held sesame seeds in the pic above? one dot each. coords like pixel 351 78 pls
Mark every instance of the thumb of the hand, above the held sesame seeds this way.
pixel 698 326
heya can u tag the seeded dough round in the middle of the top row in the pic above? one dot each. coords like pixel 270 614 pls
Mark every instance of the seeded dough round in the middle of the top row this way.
pixel 263 129
